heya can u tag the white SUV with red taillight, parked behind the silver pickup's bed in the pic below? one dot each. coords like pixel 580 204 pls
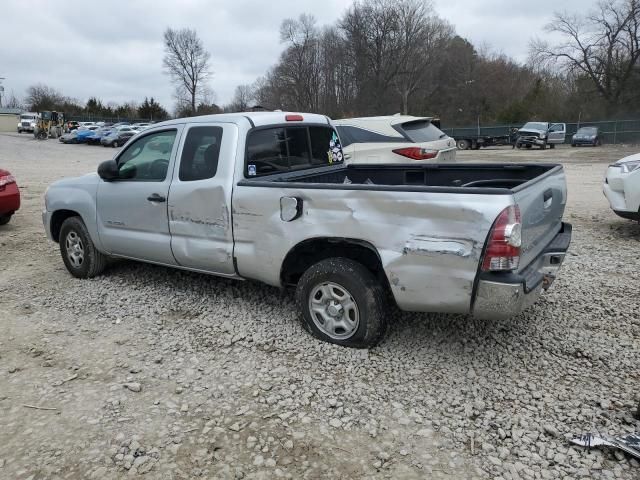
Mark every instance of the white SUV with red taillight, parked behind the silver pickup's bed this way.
pixel 394 139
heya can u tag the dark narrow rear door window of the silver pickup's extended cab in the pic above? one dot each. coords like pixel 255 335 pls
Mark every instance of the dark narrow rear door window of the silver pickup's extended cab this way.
pixel 200 153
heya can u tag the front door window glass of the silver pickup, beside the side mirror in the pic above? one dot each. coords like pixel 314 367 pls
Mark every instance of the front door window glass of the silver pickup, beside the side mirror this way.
pixel 147 158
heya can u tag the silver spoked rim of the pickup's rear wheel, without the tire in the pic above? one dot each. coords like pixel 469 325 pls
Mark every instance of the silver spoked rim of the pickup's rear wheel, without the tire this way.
pixel 334 310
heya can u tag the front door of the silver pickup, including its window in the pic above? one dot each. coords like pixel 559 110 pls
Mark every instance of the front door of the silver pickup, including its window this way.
pixel 132 210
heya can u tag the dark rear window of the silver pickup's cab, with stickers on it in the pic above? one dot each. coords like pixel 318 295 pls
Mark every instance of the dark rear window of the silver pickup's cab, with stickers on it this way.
pixel 288 148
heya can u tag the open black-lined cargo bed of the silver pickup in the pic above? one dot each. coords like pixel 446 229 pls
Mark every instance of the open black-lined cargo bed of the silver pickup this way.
pixel 490 178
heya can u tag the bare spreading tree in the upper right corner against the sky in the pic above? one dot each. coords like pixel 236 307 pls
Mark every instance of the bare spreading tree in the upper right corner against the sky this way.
pixel 603 46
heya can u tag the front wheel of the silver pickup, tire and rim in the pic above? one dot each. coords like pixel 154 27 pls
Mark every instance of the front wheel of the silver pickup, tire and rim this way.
pixel 79 254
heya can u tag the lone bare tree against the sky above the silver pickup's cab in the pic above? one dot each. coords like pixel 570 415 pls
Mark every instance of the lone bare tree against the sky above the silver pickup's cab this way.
pixel 187 63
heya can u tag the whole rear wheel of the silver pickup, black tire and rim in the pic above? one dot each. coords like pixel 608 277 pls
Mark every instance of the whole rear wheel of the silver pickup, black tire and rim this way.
pixel 341 278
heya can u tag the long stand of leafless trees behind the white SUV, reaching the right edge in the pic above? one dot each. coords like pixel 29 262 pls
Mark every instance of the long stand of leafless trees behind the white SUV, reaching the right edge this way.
pixel 389 56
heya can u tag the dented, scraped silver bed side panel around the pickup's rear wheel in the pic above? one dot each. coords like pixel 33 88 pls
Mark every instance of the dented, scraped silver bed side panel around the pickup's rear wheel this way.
pixel 429 243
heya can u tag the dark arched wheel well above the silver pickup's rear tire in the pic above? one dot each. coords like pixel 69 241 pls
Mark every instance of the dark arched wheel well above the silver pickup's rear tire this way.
pixel 310 252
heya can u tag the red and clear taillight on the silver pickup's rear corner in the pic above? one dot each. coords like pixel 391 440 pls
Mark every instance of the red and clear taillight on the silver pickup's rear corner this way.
pixel 505 239
